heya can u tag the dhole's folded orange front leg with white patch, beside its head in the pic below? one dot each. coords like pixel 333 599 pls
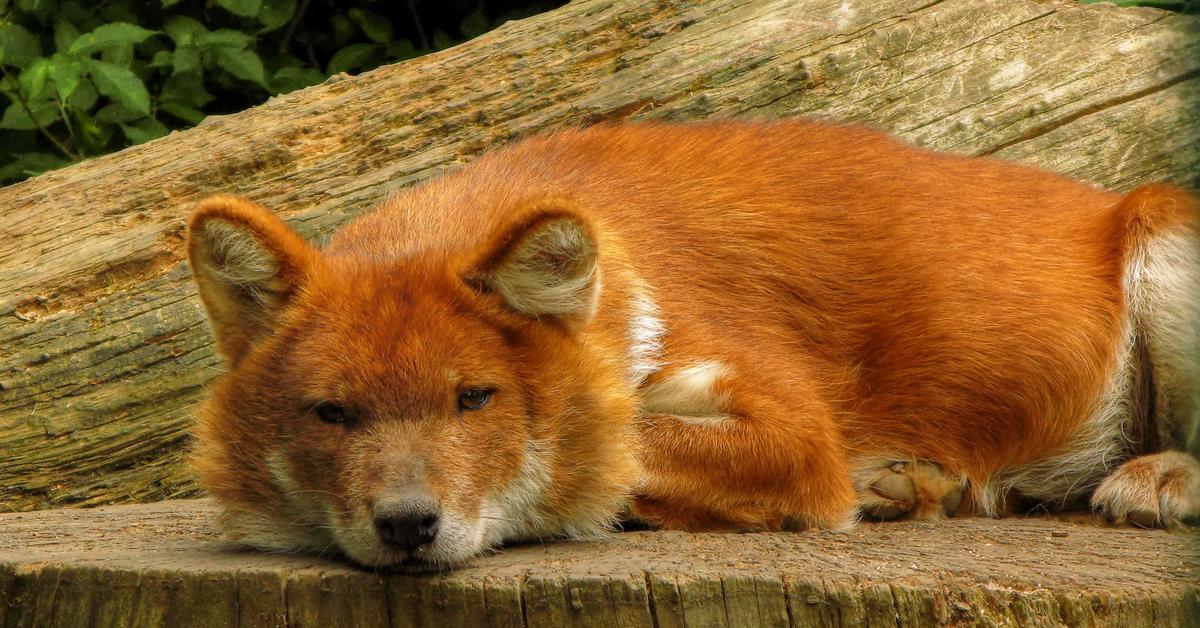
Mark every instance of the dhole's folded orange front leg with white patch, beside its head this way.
pixel 729 447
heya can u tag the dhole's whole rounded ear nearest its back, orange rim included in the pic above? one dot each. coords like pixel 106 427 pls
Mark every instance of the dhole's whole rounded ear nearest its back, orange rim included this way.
pixel 544 265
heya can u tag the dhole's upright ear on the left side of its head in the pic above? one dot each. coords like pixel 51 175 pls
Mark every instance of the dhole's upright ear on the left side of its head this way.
pixel 248 265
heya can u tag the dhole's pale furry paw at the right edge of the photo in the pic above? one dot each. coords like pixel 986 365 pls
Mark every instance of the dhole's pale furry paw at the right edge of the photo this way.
pixel 1157 491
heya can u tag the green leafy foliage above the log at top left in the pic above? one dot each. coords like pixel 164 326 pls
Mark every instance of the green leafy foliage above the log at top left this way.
pixel 81 79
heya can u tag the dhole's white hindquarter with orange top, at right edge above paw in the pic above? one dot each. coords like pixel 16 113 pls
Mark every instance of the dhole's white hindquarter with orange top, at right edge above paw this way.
pixel 1162 228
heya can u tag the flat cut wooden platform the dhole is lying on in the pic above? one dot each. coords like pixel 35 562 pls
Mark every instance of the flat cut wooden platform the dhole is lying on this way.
pixel 164 565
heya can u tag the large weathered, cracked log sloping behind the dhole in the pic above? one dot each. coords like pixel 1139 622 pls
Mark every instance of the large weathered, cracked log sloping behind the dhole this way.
pixel 104 349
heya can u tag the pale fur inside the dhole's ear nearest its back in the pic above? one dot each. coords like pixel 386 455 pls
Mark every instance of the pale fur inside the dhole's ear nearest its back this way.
pixel 550 272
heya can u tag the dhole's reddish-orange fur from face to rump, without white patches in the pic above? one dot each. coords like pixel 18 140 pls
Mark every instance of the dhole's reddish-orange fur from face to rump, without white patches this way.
pixel 863 297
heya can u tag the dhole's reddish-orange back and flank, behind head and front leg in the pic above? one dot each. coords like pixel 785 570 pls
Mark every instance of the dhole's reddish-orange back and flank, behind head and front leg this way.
pixel 927 292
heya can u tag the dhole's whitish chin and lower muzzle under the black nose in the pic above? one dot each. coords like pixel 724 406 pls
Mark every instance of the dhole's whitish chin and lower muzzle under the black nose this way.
pixel 457 543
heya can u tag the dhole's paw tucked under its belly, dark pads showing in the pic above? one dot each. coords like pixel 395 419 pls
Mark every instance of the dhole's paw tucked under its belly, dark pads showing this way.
pixel 909 489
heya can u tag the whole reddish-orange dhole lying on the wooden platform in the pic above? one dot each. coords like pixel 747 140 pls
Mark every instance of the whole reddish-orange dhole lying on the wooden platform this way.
pixel 704 327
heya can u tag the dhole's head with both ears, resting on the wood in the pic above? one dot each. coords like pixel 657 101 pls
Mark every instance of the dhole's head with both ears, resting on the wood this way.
pixel 407 411
